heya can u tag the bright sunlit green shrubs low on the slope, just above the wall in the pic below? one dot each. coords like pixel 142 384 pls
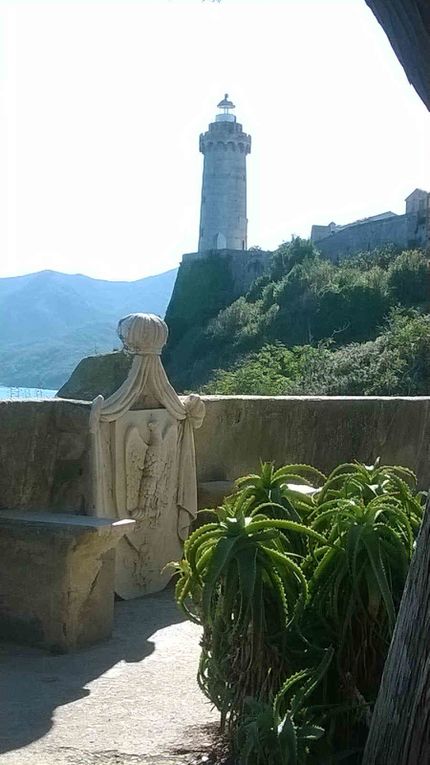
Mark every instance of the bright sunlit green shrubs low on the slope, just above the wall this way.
pixel 395 363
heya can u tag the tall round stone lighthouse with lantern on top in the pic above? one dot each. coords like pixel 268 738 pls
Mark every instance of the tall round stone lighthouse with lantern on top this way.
pixel 223 221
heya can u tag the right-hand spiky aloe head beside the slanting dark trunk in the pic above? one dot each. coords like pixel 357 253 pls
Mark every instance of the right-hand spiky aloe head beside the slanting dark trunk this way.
pixel 369 516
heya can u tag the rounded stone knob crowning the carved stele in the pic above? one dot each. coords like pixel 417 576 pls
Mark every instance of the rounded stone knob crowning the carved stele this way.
pixel 143 333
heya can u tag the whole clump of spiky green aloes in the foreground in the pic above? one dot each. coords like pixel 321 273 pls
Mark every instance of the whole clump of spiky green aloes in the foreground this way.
pixel 297 583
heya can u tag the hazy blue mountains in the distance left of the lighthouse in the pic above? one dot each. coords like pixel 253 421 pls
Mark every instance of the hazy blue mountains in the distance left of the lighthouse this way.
pixel 49 321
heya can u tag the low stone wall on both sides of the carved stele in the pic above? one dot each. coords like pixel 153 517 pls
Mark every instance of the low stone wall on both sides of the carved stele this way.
pixel 44 445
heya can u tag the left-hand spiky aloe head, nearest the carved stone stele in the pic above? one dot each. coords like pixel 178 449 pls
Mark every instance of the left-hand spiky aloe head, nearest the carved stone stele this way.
pixel 243 582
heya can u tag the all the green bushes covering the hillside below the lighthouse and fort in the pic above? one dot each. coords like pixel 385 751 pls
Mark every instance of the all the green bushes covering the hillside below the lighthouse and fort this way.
pixel 311 326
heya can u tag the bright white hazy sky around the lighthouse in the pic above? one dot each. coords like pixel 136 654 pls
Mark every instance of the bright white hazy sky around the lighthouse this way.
pixel 102 103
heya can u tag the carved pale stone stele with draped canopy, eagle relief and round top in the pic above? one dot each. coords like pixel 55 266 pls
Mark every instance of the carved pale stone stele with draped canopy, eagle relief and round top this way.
pixel 144 460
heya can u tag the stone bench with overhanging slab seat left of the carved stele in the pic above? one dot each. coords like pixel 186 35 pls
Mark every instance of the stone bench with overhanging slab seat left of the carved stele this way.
pixel 57 578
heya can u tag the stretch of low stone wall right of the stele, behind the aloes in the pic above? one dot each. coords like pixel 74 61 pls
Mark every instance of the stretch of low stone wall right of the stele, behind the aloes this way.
pixel 239 431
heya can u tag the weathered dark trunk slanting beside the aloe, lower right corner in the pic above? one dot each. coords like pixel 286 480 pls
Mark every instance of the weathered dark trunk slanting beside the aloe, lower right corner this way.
pixel 400 728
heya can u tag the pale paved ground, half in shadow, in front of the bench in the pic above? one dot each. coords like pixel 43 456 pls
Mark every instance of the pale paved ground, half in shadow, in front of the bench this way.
pixel 132 700
